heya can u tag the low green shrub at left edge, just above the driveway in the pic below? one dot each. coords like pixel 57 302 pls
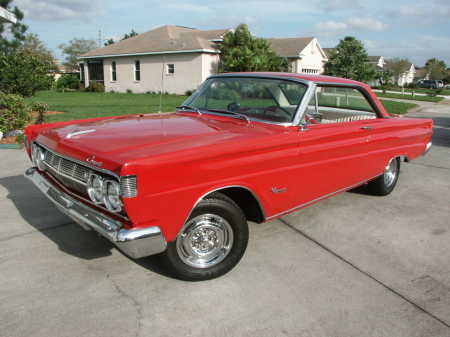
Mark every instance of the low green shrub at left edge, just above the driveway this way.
pixel 14 113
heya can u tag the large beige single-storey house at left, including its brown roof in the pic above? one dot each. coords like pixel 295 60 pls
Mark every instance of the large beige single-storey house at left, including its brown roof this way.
pixel 174 58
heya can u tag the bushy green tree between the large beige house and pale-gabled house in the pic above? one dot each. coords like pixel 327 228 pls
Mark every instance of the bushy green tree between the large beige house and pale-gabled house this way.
pixel 241 51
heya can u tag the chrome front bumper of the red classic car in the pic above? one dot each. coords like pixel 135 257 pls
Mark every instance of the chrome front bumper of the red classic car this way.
pixel 135 243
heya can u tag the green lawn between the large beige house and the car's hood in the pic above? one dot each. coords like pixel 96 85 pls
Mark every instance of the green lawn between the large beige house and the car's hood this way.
pixel 81 105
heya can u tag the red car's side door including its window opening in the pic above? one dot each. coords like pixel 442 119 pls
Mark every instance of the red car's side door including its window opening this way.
pixel 333 152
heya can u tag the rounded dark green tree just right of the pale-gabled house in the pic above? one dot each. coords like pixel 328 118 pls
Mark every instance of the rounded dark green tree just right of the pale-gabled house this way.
pixel 350 60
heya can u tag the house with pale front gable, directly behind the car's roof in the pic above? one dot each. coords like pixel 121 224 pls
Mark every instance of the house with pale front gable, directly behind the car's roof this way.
pixel 304 54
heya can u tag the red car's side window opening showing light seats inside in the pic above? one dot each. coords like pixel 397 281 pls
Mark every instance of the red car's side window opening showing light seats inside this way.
pixel 342 104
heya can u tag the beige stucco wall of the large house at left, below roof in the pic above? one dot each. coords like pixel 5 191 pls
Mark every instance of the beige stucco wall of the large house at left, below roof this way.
pixel 190 70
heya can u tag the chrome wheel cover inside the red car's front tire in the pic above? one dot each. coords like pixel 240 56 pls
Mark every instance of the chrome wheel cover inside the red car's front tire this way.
pixel 205 241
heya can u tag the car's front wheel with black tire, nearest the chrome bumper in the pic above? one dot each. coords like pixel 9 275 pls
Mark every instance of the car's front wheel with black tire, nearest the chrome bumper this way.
pixel 212 241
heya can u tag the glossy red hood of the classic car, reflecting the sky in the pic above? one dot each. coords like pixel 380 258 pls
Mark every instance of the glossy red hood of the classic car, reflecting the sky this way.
pixel 128 138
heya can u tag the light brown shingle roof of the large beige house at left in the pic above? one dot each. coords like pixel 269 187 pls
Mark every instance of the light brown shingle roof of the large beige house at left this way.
pixel 166 39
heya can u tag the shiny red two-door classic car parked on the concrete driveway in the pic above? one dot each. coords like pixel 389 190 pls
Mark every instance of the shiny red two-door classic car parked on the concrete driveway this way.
pixel 244 147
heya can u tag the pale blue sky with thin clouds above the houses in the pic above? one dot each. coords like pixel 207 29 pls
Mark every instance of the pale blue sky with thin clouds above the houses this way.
pixel 415 29
